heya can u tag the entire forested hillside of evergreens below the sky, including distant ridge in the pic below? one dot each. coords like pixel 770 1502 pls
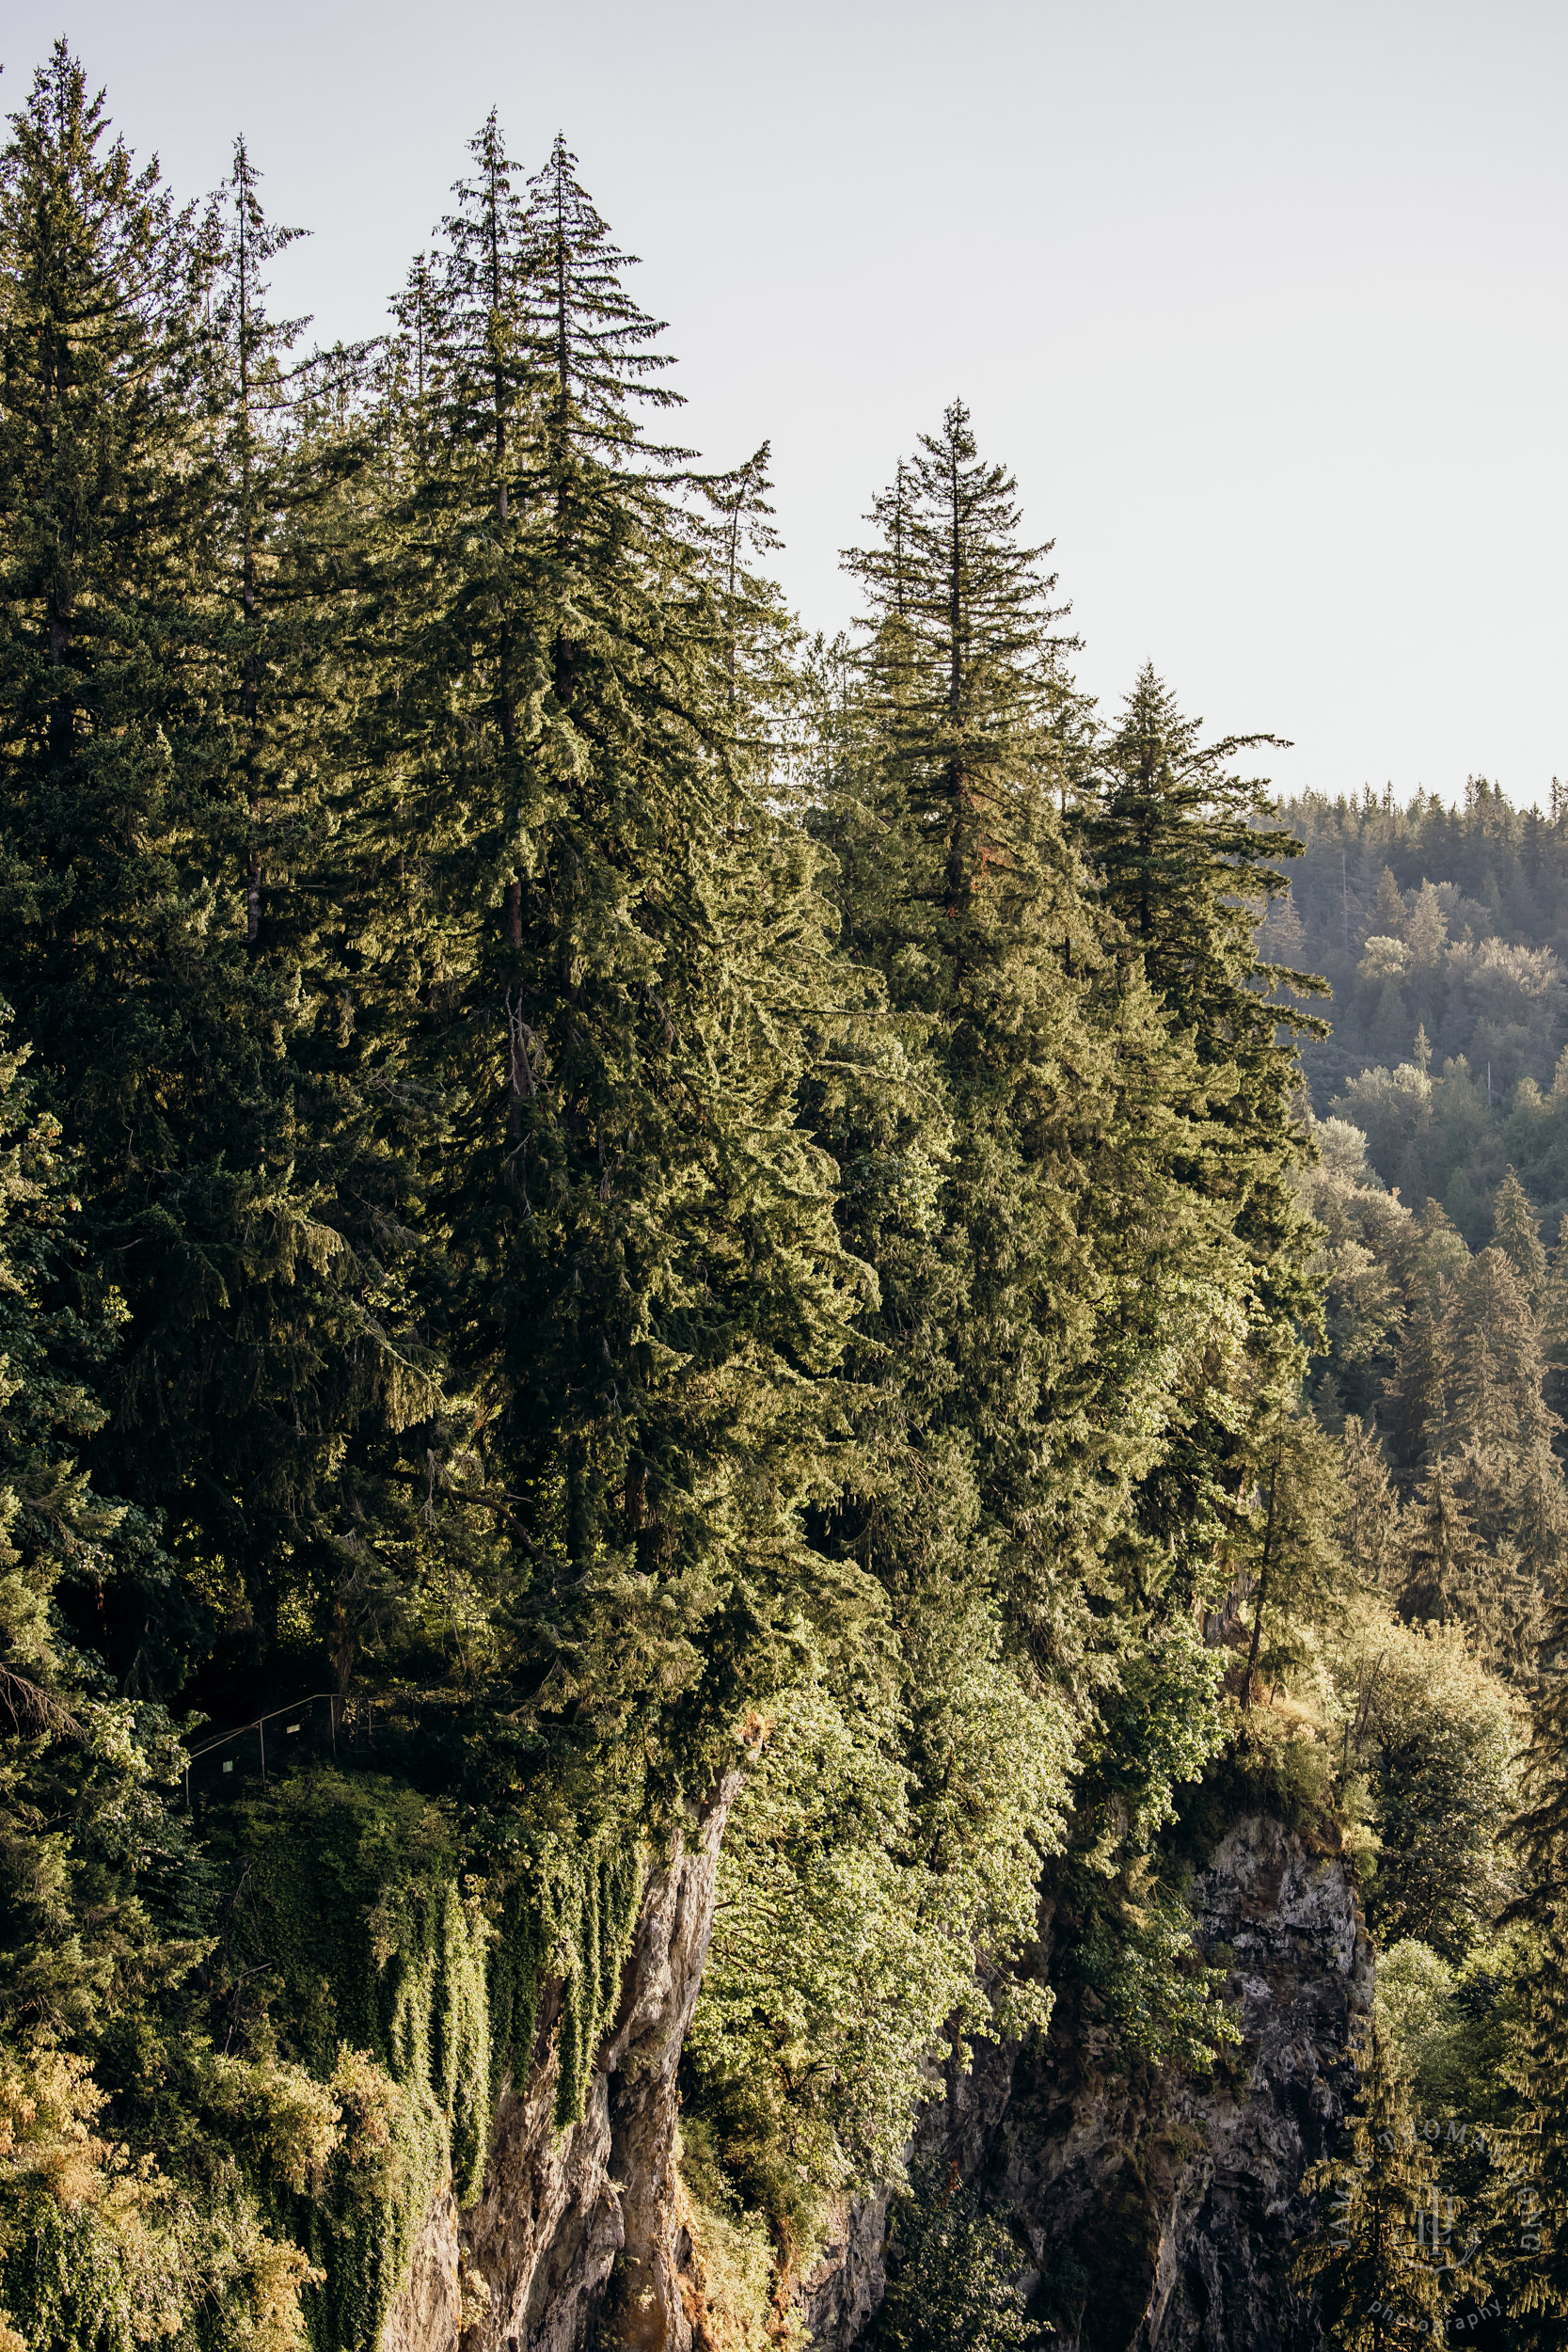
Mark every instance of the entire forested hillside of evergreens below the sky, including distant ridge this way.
pixel 636 1236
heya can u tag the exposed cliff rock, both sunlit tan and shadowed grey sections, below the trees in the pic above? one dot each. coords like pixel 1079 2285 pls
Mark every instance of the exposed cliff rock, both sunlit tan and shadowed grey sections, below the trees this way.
pixel 1160 2217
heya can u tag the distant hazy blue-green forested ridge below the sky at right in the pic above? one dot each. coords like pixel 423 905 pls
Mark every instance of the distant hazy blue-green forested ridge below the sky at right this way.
pixel 1445 935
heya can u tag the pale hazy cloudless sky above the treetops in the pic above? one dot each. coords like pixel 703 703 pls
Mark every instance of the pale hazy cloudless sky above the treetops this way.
pixel 1264 305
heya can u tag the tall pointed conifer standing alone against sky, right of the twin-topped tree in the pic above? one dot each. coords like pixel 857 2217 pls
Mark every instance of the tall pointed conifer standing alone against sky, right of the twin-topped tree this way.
pixel 965 893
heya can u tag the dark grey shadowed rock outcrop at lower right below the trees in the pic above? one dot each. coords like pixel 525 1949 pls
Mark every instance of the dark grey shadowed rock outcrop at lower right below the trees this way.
pixel 1165 2214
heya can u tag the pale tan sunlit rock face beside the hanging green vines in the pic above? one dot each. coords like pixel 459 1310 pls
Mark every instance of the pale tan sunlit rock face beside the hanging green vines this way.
pixel 577 2226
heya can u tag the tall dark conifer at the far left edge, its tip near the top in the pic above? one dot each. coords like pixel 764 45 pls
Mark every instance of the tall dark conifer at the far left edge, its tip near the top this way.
pixel 105 719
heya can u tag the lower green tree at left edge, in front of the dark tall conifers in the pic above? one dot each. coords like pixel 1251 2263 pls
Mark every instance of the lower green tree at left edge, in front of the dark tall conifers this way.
pixel 98 1878
